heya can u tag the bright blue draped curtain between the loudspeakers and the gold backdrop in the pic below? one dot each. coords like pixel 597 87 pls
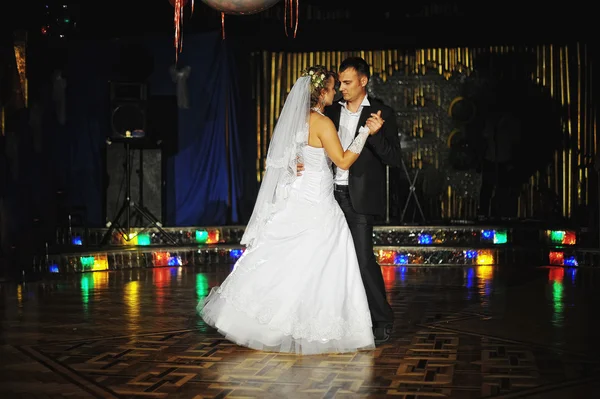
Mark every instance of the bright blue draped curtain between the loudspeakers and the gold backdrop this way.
pixel 216 126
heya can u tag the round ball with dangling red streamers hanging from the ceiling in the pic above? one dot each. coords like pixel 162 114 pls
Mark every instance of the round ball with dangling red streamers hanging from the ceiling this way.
pixel 233 7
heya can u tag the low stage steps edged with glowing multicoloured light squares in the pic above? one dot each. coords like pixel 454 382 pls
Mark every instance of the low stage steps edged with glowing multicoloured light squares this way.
pixel 80 250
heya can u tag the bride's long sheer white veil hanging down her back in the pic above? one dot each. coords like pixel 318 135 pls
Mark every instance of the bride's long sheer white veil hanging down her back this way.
pixel 289 136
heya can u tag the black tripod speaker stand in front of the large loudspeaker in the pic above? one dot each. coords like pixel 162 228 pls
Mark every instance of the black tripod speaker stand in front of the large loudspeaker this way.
pixel 130 208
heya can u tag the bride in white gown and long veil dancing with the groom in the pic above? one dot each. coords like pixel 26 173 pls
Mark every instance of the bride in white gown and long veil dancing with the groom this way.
pixel 297 287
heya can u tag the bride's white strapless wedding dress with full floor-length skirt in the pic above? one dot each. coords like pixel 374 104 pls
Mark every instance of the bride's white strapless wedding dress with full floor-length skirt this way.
pixel 298 289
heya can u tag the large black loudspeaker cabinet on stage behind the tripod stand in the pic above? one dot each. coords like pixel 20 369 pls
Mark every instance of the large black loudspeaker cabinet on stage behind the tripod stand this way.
pixel 146 181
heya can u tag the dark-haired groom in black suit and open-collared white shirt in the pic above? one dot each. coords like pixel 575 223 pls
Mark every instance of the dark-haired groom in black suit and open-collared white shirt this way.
pixel 360 191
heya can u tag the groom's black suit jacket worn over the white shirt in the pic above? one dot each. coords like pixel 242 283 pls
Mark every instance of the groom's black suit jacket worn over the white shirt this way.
pixel 366 179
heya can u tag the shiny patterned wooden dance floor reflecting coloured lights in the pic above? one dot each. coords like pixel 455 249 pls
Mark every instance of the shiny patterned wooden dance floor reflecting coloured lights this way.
pixel 468 332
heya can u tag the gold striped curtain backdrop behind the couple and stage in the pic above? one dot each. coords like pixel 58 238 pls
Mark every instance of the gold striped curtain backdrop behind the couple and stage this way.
pixel 565 71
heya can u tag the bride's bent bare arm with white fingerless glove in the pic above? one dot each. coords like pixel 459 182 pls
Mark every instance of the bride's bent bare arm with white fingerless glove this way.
pixel 331 142
